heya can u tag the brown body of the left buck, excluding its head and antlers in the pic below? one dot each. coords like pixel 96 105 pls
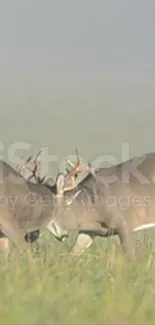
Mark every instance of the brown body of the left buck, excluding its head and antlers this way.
pixel 24 206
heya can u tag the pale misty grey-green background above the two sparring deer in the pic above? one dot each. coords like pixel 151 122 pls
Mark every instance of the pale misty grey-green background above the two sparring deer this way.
pixel 77 73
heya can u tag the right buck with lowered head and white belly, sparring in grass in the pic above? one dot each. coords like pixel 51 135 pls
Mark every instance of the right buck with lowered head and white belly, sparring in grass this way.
pixel 115 201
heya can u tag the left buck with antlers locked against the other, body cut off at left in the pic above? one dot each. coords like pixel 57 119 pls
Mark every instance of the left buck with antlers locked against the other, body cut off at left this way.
pixel 19 216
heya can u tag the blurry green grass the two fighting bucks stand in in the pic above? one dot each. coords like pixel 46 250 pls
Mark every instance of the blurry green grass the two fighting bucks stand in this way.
pixel 98 288
